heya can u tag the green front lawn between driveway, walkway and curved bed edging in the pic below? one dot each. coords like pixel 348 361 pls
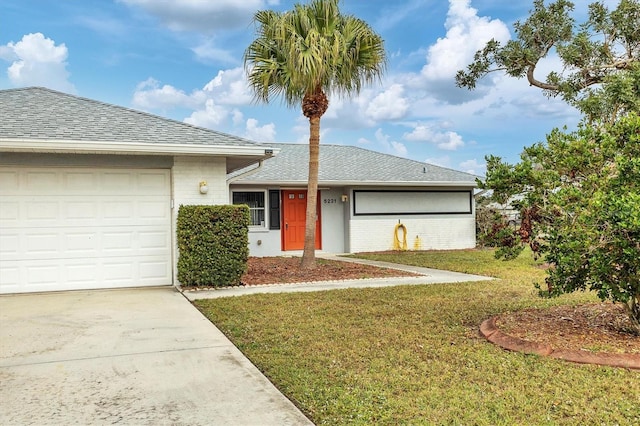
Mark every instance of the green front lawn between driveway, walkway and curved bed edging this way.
pixel 412 354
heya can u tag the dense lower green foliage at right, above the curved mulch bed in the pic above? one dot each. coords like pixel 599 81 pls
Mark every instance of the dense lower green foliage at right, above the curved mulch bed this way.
pixel 580 209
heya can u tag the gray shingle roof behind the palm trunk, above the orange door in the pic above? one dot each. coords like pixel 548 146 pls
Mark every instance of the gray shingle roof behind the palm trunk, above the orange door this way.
pixel 341 164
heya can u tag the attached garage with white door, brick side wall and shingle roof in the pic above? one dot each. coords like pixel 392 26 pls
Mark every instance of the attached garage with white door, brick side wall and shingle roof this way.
pixel 89 192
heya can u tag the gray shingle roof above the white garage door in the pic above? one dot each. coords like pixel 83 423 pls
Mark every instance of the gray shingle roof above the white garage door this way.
pixel 37 113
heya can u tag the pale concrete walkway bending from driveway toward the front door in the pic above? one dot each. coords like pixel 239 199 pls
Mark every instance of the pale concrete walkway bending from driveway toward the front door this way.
pixel 428 276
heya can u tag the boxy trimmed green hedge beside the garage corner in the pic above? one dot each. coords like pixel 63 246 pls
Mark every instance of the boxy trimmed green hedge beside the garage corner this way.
pixel 213 244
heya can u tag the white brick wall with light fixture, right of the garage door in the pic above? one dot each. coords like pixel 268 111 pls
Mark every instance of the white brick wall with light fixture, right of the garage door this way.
pixel 186 174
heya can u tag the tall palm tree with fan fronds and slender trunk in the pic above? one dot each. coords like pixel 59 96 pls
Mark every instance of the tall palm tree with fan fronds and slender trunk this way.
pixel 303 55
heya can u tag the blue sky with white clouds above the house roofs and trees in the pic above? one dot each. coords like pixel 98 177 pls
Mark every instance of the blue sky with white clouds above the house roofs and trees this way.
pixel 182 59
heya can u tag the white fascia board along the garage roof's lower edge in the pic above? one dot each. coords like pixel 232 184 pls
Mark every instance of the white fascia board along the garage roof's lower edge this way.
pixel 69 146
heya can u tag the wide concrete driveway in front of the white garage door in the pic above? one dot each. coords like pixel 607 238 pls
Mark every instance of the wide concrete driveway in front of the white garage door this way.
pixel 133 356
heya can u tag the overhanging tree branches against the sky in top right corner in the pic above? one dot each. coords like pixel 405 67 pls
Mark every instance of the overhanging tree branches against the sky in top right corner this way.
pixel 600 72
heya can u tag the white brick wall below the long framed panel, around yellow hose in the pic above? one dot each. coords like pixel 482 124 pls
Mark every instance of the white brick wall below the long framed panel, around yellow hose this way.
pixel 435 233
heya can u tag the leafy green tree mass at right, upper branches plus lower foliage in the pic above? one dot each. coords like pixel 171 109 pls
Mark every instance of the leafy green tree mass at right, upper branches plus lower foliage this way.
pixel 579 193
